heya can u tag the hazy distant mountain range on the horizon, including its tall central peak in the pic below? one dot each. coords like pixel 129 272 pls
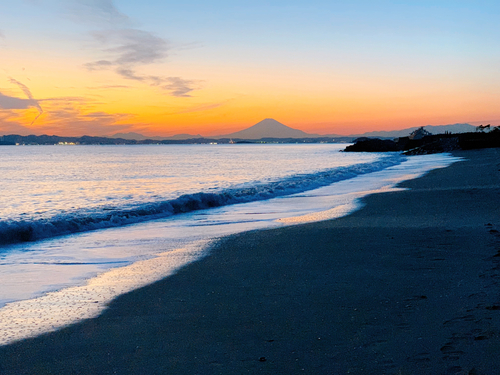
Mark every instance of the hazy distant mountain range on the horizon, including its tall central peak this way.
pixel 270 128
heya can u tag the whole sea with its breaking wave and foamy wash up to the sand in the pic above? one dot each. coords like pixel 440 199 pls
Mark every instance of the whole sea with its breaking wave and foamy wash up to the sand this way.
pixel 80 225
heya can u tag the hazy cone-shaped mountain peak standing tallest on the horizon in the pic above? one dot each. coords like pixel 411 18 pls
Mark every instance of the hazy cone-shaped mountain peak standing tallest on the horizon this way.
pixel 269 128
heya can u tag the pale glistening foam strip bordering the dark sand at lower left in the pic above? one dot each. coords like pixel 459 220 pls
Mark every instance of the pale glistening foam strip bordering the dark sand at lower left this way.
pixel 55 310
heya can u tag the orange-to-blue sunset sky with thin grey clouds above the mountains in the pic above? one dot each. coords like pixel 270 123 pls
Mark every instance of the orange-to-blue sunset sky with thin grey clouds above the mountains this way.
pixel 98 67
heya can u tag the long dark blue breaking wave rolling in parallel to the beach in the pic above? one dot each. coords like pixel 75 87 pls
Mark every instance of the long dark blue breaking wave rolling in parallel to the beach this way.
pixel 17 231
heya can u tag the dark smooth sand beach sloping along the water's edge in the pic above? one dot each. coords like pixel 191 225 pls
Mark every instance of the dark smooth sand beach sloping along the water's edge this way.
pixel 410 284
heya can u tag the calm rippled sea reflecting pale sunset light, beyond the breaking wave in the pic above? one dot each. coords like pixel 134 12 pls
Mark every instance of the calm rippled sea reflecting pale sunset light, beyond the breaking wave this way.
pixel 44 181
